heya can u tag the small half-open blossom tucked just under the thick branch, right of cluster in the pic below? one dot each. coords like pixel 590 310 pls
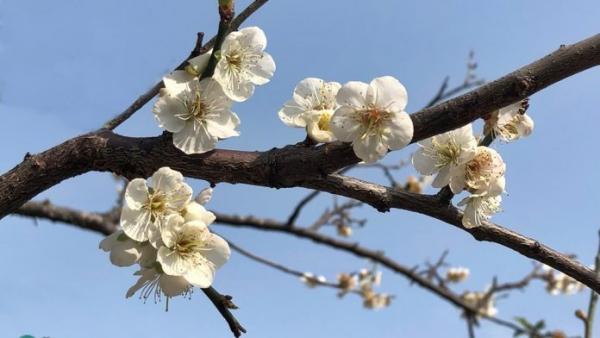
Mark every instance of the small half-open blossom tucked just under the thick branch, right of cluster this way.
pixel 511 122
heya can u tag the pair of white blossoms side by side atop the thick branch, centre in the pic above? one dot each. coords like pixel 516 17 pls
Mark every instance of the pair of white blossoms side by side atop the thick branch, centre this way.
pixel 370 116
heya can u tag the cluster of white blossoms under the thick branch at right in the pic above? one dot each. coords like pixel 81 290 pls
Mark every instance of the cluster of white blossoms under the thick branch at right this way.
pixel 461 164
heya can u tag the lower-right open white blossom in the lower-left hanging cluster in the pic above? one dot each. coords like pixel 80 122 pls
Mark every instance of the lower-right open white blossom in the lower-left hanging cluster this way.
pixel 190 250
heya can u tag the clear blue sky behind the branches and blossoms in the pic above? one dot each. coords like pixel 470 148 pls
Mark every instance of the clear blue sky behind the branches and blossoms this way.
pixel 67 66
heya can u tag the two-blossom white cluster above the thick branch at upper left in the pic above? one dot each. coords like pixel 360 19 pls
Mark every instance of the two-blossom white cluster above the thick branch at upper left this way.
pixel 198 112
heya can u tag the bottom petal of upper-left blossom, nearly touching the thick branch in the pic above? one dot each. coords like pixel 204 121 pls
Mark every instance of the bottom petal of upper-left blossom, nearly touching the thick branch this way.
pixel 194 139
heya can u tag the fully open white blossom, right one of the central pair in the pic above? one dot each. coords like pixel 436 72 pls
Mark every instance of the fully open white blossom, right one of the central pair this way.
pixel 372 117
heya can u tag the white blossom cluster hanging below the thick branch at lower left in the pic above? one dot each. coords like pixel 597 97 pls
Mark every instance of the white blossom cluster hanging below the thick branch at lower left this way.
pixel 166 233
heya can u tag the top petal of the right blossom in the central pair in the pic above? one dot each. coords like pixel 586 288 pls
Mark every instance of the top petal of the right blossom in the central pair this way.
pixel 386 91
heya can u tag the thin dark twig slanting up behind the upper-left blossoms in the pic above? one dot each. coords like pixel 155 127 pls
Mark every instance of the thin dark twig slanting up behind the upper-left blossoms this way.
pixel 152 92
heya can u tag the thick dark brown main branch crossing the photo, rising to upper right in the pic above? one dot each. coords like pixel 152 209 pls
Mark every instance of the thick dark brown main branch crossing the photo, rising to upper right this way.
pixel 286 167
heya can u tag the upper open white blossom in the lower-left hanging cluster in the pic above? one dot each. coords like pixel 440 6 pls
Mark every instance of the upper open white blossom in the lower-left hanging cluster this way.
pixel 146 205
